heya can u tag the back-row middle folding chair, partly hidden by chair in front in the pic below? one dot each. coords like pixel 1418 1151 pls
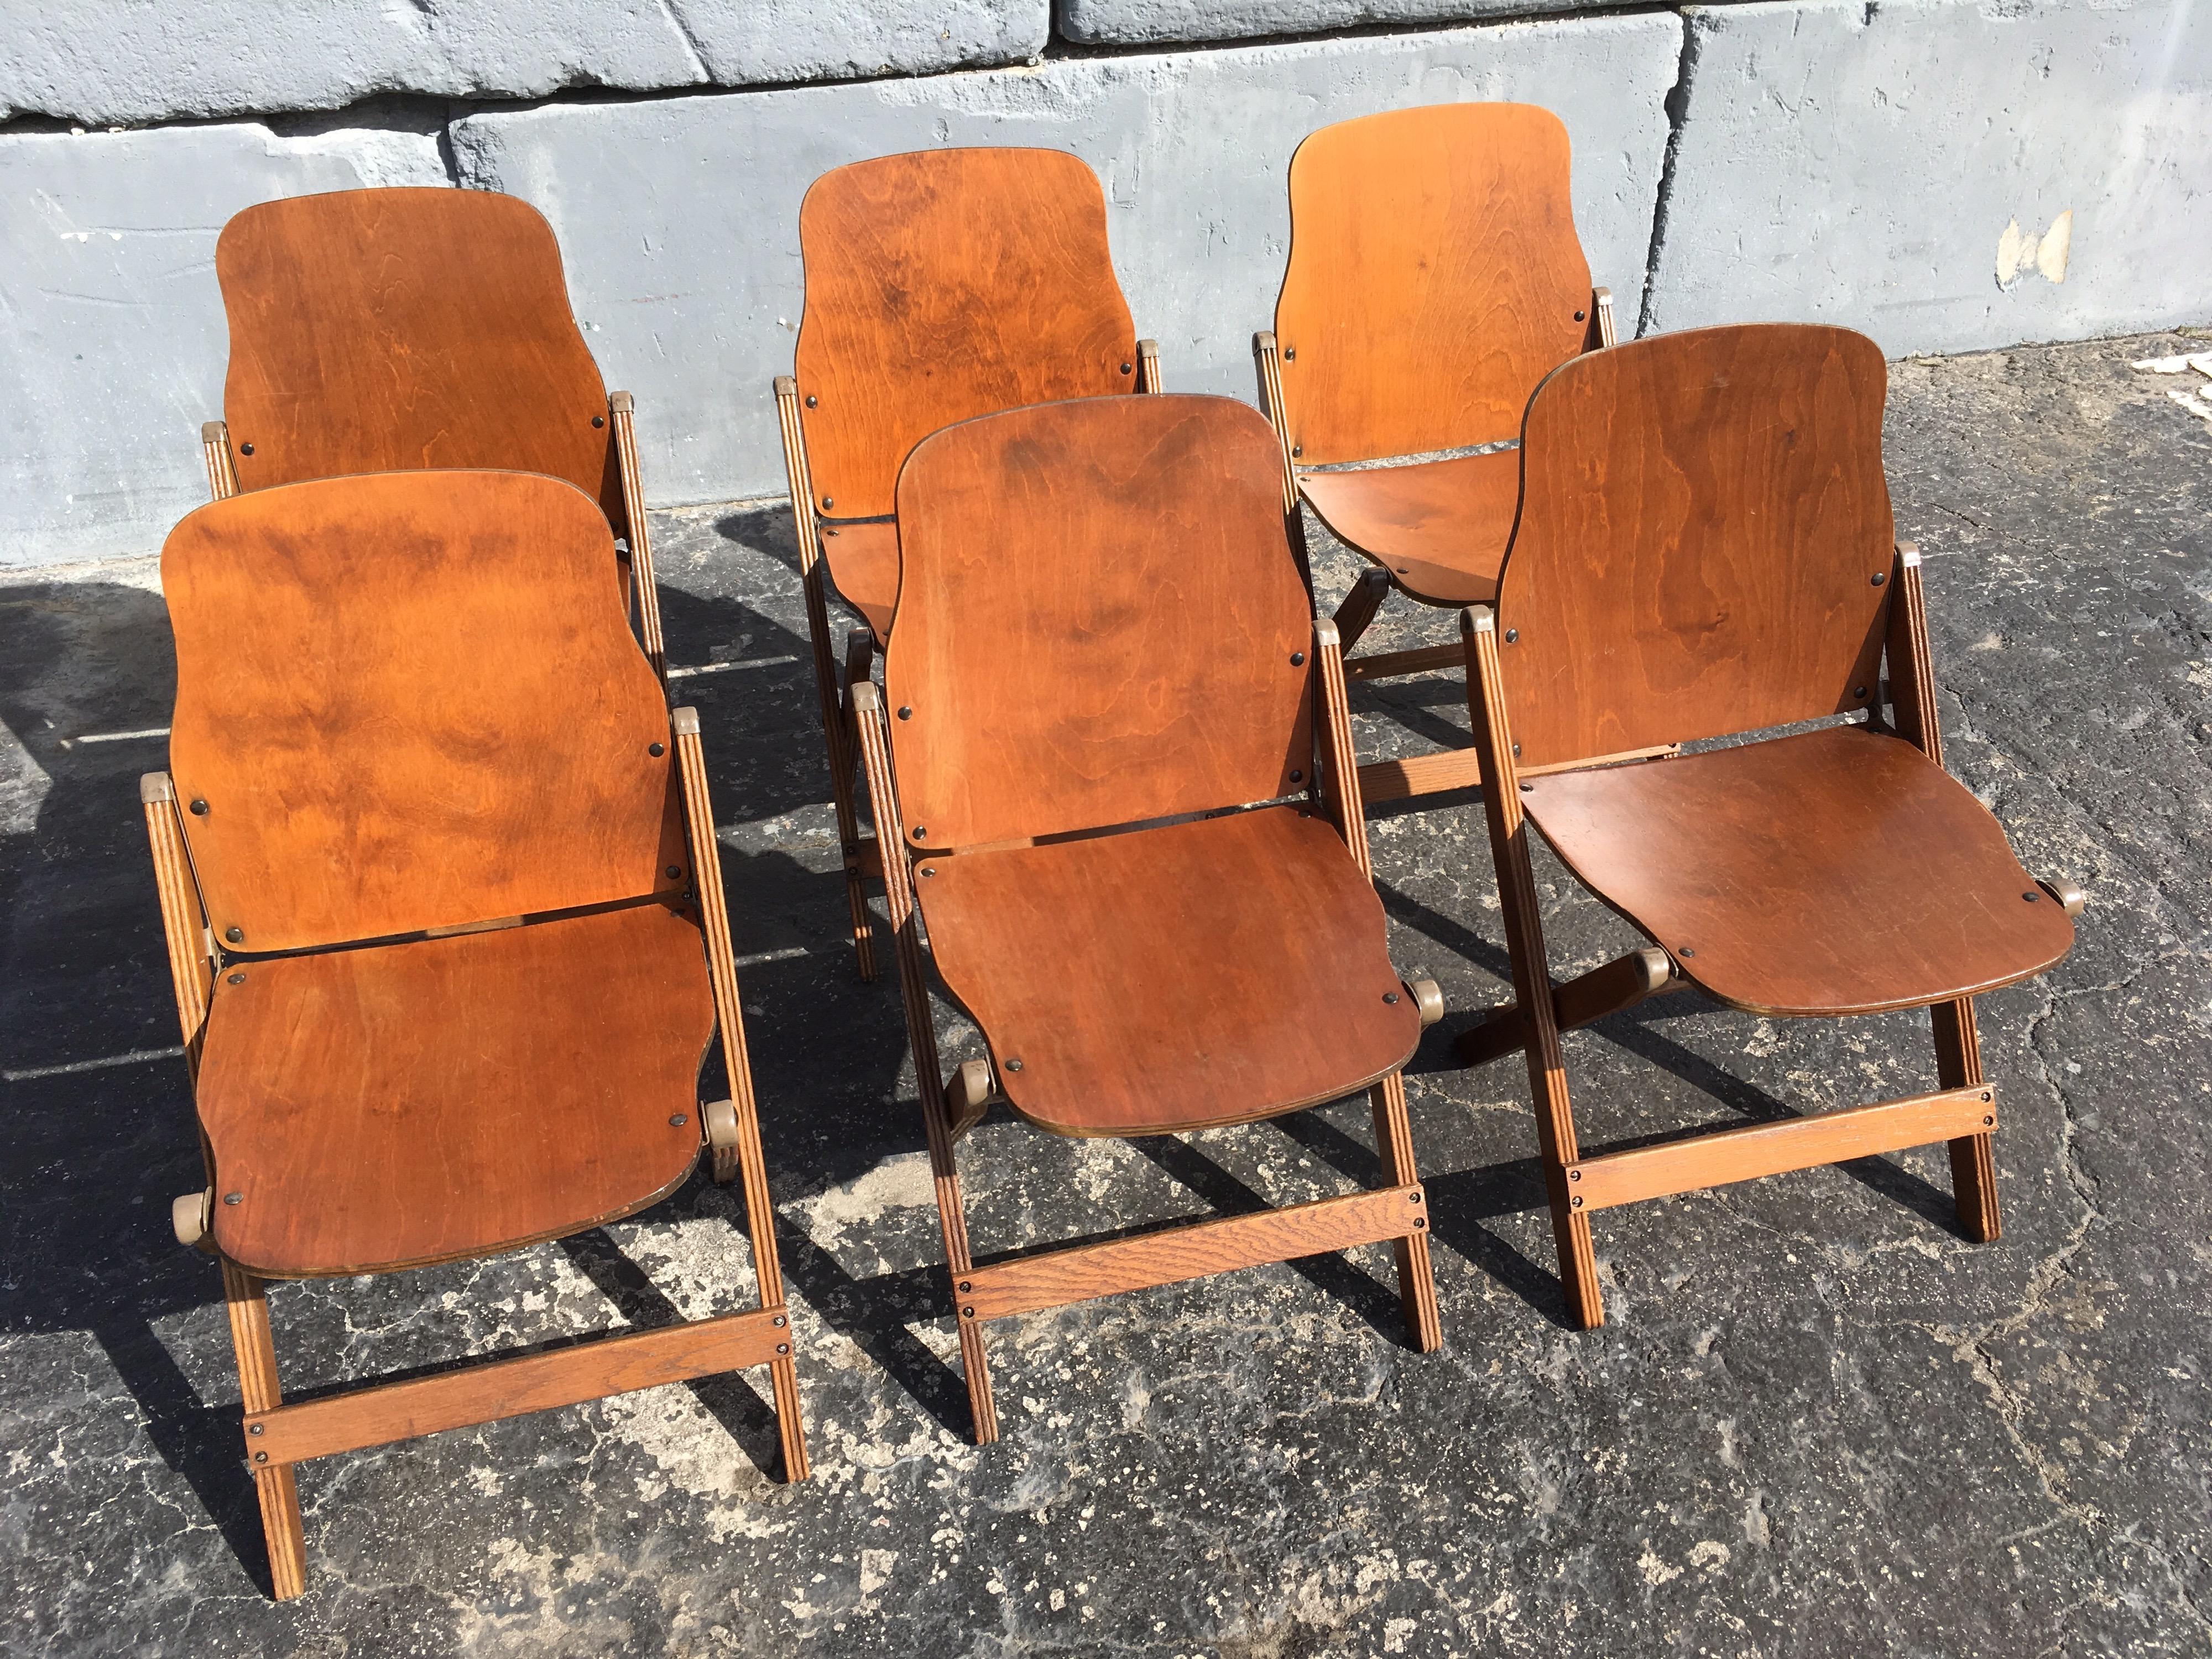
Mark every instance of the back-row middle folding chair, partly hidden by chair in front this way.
pixel 941 286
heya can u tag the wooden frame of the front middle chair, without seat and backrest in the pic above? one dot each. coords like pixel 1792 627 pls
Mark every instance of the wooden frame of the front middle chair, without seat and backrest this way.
pixel 1397 1213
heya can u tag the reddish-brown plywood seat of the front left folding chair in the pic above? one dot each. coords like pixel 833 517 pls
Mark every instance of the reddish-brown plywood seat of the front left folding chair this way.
pixel 457 1096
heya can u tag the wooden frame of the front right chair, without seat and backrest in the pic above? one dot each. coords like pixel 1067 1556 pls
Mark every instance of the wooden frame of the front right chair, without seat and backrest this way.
pixel 1961 1114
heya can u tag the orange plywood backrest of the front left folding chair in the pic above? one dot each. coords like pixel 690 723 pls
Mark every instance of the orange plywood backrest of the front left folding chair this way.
pixel 406 702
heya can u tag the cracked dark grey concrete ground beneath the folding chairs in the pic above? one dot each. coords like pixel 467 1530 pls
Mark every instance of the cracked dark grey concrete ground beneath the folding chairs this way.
pixel 1817 1423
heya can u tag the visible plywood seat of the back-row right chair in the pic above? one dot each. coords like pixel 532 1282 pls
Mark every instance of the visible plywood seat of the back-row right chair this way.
pixel 1439 528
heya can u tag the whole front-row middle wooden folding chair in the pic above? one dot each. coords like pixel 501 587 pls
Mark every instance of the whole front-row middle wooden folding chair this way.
pixel 1103 649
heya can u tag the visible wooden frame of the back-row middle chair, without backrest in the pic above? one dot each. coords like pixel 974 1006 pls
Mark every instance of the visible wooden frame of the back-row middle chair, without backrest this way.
pixel 835 680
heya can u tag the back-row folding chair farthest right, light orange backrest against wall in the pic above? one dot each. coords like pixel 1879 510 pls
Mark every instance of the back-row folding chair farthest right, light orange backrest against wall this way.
pixel 1434 280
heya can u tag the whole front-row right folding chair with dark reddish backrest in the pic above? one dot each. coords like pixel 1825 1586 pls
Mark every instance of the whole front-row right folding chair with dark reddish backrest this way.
pixel 1704 550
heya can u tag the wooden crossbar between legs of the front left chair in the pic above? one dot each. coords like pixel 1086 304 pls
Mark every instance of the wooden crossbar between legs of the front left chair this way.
pixel 512 1388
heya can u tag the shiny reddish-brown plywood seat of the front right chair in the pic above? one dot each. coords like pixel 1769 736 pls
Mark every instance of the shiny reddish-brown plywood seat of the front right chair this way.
pixel 1828 873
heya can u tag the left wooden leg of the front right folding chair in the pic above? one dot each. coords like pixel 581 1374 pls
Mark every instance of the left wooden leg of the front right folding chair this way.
pixel 1532 974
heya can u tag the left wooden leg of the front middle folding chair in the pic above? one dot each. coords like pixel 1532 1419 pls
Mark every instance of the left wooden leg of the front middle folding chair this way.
pixel 924 1036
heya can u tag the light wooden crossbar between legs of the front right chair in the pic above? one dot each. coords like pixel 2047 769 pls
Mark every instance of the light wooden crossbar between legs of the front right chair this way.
pixel 1771 1149
